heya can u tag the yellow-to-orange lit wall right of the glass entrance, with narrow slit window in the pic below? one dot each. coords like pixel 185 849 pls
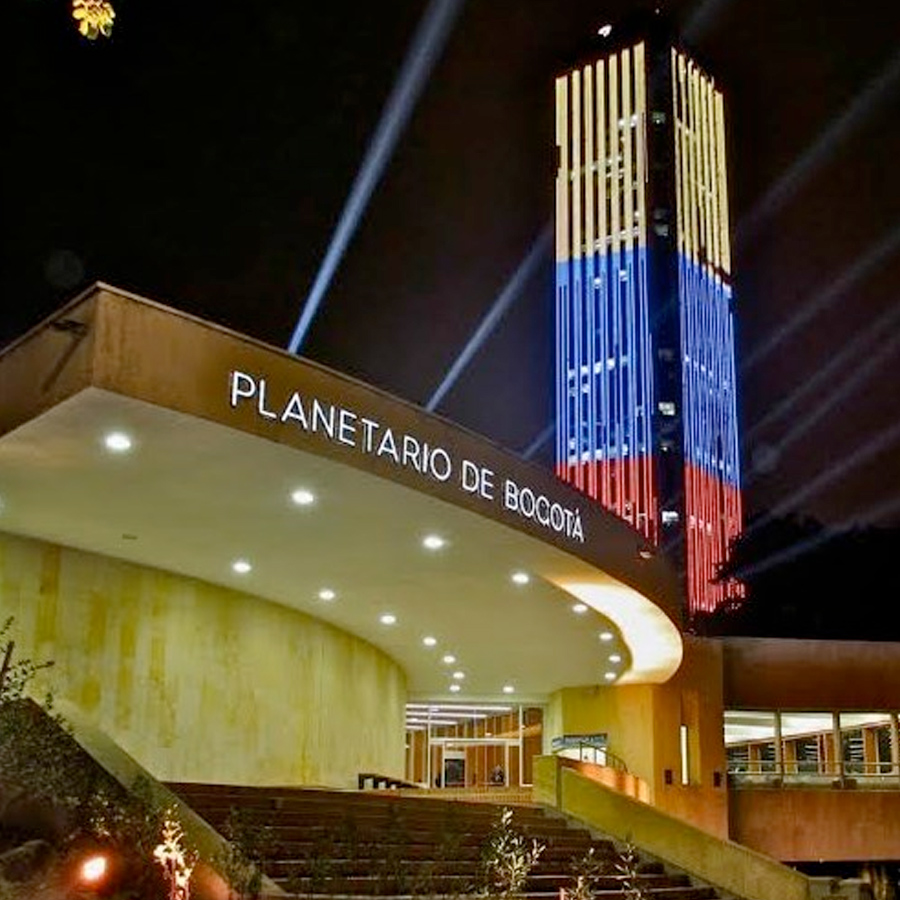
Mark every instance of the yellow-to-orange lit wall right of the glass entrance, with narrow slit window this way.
pixel 643 723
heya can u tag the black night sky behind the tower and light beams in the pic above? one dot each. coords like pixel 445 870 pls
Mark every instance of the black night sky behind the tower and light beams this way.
pixel 201 158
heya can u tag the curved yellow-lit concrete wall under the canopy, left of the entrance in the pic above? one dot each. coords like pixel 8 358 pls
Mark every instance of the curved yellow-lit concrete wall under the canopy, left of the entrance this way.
pixel 200 683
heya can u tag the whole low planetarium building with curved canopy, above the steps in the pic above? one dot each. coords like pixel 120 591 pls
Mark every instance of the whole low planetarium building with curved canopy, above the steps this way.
pixel 242 592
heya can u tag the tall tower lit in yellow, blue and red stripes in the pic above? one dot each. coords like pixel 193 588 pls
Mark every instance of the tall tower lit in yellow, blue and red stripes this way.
pixel 645 393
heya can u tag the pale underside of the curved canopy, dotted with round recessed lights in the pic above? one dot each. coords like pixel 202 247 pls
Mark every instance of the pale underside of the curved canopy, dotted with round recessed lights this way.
pixel 192 496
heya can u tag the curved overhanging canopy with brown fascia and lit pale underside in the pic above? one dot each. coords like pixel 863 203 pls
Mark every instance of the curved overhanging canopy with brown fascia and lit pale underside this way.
pixel 218 448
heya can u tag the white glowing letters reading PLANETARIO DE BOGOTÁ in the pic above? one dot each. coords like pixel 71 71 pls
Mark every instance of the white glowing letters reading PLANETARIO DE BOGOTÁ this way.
pixel 371 437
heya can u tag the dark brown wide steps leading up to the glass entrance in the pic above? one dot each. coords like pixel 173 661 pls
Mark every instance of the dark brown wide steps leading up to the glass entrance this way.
pixel 371 844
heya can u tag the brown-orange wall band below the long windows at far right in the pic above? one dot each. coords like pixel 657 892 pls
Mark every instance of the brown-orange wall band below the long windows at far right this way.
pixel 800 825
